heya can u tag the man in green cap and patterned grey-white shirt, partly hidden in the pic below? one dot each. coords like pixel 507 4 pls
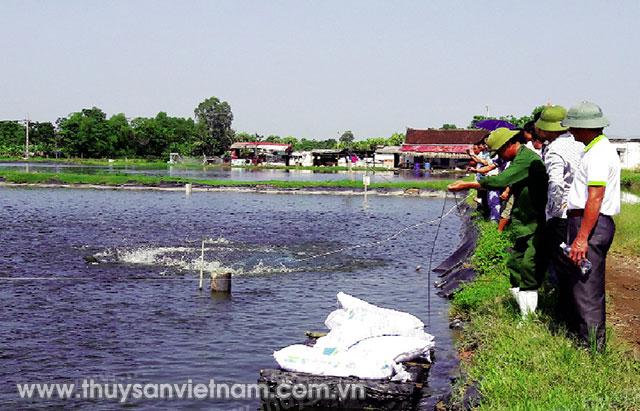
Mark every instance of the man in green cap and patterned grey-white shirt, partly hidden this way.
pixel 561 157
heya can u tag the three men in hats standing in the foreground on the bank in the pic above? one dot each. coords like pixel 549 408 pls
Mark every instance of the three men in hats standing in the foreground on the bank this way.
pixel 568 194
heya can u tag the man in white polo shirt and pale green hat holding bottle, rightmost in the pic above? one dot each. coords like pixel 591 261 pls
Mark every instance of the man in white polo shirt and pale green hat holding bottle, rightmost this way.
pixel 594 198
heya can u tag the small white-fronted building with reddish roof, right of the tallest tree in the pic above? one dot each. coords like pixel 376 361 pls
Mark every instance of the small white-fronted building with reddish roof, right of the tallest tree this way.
pixel 258 152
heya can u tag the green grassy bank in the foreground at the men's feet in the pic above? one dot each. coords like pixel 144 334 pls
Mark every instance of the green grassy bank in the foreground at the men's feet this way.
pixel 532 365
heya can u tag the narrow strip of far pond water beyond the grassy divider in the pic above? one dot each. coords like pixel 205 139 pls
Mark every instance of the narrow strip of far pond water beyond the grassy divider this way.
pixel 228 173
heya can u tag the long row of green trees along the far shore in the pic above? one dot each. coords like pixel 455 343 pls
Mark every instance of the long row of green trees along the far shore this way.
pixel 89 133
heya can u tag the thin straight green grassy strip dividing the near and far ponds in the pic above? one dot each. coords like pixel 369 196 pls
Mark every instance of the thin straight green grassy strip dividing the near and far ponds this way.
pixel 120 179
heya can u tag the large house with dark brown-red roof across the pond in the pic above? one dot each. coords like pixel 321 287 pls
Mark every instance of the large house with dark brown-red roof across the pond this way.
pixel 438 148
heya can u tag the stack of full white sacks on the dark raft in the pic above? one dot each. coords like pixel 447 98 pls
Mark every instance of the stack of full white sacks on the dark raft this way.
pixel 364 341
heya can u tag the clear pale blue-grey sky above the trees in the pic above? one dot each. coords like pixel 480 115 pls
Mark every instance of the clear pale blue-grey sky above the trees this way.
pixel 316 68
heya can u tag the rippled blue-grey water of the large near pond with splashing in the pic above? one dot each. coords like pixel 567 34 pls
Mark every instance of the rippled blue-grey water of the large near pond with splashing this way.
pixel 138 315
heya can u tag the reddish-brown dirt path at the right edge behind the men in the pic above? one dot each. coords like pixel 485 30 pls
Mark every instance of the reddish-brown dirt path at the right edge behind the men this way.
pixel 623 287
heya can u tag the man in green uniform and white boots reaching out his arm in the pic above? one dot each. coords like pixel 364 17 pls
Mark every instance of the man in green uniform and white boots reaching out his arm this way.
pixel 528 180
